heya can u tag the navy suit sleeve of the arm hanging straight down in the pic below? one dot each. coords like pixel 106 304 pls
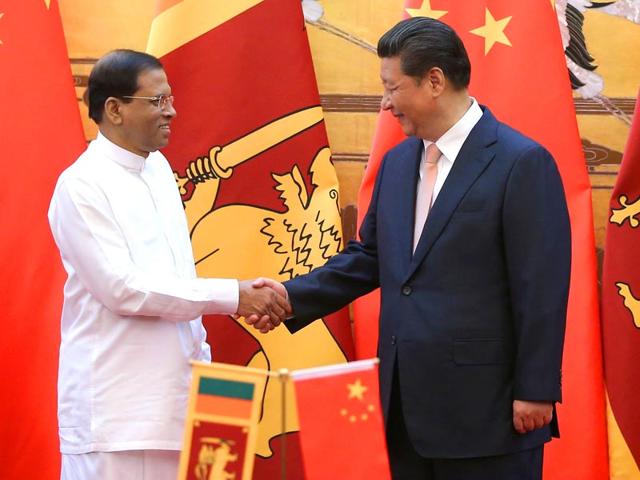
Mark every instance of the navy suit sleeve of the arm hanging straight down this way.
pixel 537 239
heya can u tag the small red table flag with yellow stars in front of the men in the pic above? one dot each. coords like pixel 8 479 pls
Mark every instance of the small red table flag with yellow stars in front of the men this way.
pixel 341 426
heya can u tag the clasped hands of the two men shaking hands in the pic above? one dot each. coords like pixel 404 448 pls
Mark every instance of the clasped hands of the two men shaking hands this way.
pixel 263 303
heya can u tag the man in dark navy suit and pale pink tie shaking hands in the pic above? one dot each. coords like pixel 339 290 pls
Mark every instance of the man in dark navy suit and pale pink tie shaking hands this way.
pixel 473 302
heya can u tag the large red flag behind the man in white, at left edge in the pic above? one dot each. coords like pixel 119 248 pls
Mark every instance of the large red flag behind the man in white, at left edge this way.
pixel 40 134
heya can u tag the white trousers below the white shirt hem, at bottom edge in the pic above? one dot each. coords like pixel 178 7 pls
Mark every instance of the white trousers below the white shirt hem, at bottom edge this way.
pixel 125 465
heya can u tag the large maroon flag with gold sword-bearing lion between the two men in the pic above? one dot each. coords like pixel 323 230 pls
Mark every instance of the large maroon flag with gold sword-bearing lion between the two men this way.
pixel 249 151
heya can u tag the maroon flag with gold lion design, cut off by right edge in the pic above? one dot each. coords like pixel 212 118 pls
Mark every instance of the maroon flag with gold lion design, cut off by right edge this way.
pixel 621 313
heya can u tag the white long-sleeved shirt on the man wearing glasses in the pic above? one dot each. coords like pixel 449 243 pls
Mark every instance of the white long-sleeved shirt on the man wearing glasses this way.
pixel 132 303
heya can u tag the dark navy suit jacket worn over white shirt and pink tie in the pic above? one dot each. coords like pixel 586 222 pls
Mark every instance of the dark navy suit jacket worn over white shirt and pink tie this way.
pixel 476 317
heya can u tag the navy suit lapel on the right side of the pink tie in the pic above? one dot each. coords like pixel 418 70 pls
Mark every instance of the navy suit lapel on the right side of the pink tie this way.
pixel 476 153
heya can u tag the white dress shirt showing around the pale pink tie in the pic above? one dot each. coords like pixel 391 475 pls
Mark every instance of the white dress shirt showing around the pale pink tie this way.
pixel 450 144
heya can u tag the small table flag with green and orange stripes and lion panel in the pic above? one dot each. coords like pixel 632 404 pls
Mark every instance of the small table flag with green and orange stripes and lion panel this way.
pixel 222 422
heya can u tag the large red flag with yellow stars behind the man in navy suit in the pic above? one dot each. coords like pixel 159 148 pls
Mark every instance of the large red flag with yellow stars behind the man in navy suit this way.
pixel 518 70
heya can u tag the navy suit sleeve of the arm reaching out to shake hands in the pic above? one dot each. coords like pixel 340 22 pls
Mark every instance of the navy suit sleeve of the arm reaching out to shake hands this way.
pixel 346 276
